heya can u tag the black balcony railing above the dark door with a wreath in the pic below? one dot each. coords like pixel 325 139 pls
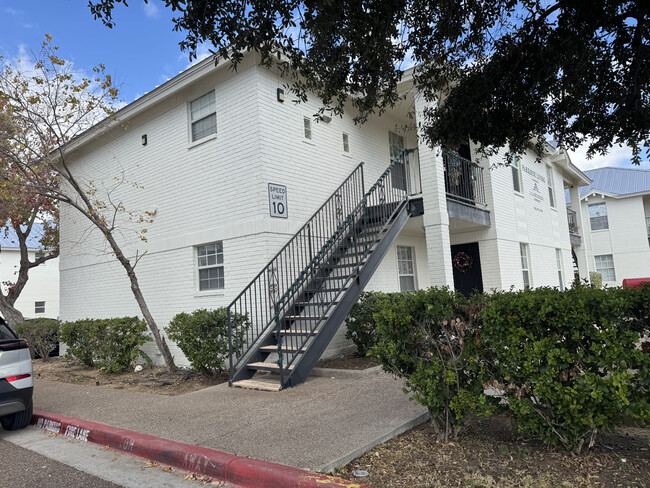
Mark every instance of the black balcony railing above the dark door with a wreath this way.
pixel 463 179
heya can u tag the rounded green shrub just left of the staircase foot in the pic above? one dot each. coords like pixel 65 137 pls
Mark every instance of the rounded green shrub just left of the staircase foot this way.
pixel 203 337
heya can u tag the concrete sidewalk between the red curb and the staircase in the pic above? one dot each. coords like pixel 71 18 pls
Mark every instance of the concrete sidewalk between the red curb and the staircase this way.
pixel 319 425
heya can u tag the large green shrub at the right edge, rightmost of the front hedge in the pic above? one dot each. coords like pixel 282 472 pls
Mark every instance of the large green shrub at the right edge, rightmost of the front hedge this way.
pixel 567 361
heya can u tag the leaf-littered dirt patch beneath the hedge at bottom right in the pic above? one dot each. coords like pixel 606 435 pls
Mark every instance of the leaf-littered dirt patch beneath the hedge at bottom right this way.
pixel 490 453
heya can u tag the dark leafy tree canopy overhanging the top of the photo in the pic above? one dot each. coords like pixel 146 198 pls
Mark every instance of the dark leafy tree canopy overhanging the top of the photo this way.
pixel 509 71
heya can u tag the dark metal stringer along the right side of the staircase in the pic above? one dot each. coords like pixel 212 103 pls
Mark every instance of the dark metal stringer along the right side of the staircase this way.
pixel 329 327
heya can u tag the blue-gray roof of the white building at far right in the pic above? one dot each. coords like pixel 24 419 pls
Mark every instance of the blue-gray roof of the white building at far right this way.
pixel 617 181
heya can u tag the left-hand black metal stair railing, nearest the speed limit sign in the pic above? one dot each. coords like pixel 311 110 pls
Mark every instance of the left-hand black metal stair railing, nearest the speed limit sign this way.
pixel 253 311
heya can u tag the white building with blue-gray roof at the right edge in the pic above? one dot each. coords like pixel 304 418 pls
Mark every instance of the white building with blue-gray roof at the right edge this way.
pixel 616 215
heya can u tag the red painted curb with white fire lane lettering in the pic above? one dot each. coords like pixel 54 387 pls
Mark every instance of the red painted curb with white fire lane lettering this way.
pixel 240 471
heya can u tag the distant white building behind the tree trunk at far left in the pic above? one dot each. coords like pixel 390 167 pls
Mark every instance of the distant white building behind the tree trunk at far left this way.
pixel 40 297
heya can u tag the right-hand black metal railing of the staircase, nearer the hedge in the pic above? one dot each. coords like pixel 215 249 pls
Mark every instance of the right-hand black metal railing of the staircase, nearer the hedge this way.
pixel 353 241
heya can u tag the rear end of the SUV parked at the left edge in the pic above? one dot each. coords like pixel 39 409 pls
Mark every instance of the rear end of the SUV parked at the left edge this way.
pixel 16 381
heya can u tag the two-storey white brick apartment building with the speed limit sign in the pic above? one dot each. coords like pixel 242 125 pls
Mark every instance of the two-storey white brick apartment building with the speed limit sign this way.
pixel 232 171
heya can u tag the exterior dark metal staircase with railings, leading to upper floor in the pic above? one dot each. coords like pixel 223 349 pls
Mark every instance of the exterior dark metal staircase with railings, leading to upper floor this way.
pixel 285 318
